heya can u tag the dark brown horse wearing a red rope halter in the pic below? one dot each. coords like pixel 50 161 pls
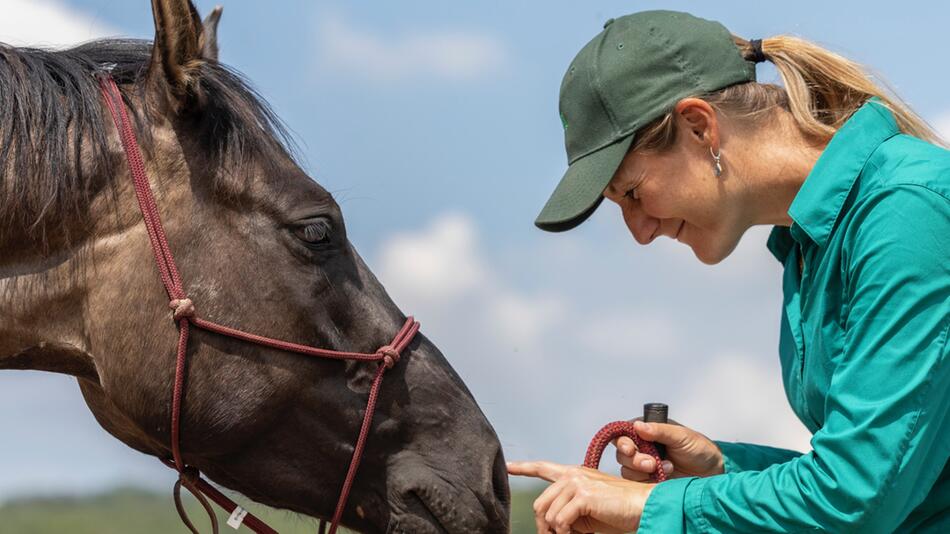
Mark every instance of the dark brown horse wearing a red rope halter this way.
pixel 261 247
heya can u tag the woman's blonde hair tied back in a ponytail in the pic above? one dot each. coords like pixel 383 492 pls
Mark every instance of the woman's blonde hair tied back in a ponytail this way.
pixel 821 91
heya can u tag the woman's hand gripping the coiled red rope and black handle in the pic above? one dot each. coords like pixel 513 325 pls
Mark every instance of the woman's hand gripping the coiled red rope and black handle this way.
pixel 689 453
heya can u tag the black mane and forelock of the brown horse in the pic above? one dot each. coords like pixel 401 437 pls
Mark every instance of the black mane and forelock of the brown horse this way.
pixel 51 114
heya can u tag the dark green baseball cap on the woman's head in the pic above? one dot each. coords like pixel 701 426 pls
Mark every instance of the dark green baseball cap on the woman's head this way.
pixel 629 75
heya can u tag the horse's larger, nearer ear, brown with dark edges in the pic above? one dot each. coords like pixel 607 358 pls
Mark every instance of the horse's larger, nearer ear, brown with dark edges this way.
pixel 176 53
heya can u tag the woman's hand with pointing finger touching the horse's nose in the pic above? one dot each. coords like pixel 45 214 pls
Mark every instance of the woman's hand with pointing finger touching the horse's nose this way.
pixel 583 500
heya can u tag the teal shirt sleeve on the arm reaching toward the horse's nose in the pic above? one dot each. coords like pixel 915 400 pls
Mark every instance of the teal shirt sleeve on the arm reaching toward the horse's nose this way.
pixel 886 434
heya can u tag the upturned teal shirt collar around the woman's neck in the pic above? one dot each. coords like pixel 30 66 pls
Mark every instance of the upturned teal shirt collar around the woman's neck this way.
pixel 818 203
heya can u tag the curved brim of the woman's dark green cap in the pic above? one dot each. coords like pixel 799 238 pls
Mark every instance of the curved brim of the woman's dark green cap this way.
pixel 582 188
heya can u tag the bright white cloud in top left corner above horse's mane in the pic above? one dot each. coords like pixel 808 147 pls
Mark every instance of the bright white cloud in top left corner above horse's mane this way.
pixel 47 23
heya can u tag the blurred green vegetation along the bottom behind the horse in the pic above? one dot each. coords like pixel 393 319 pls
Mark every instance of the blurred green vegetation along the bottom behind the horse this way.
pixel 130 510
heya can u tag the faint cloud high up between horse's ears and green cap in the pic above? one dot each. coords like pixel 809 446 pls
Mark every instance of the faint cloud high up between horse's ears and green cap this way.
pixel 448 54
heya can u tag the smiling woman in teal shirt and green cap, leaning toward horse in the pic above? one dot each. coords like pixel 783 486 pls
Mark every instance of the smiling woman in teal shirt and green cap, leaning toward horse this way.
pixel 663 116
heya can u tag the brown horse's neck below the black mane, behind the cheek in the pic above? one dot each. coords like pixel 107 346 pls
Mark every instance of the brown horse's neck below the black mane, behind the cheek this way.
pixel 44 282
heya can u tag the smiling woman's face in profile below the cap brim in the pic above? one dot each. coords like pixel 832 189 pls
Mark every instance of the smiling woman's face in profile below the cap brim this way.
pixel 676 193
